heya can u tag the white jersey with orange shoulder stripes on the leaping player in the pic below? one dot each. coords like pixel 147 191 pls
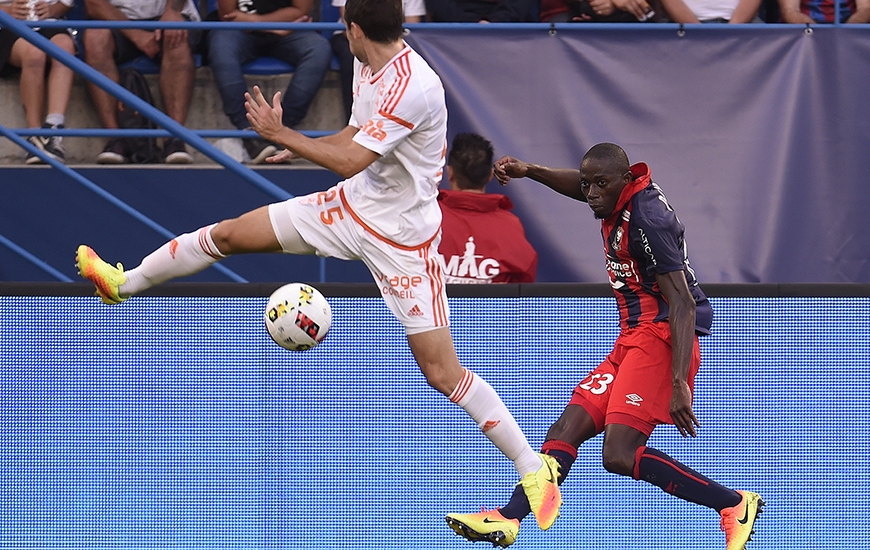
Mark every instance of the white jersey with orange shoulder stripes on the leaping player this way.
pixel 402 116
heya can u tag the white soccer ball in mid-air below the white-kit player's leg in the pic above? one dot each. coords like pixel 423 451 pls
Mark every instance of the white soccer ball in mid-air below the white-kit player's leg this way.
pixel 297 316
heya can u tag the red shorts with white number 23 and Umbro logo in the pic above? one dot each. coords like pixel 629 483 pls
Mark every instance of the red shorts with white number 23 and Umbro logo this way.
pixel 632 386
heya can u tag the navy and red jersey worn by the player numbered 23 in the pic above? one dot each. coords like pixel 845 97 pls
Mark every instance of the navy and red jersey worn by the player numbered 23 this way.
pixel 643 237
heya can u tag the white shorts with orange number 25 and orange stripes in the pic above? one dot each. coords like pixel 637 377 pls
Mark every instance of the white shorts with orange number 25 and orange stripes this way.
pixel 410 278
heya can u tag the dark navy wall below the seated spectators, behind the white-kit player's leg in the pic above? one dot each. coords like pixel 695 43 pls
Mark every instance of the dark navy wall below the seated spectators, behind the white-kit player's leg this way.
pixel 48 214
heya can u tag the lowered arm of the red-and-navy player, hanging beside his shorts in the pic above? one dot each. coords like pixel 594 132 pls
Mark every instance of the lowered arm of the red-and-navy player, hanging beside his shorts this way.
pixel 681 304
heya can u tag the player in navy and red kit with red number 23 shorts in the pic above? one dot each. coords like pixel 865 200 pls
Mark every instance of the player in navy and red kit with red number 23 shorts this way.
pixel 648 378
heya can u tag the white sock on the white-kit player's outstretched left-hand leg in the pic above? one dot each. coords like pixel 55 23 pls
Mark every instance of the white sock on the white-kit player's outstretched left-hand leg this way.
pixel 182 256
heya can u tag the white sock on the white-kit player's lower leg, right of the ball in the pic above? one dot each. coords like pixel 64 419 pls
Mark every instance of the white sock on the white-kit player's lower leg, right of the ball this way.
pixel 483 404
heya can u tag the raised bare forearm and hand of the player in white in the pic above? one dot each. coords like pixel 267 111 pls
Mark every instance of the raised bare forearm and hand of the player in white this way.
pixel 339 153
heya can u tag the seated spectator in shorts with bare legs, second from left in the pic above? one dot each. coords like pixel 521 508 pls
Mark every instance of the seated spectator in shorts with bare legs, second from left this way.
pixel 105 49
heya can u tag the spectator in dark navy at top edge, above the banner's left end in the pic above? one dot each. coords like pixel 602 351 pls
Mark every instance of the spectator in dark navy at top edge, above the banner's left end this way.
pixel 481 11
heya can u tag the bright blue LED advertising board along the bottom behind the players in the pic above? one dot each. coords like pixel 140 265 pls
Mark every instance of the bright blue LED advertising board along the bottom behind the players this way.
pixel 175 423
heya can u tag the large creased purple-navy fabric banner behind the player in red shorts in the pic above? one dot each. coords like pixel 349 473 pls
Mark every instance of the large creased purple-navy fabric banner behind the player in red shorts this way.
pixel 757 136
